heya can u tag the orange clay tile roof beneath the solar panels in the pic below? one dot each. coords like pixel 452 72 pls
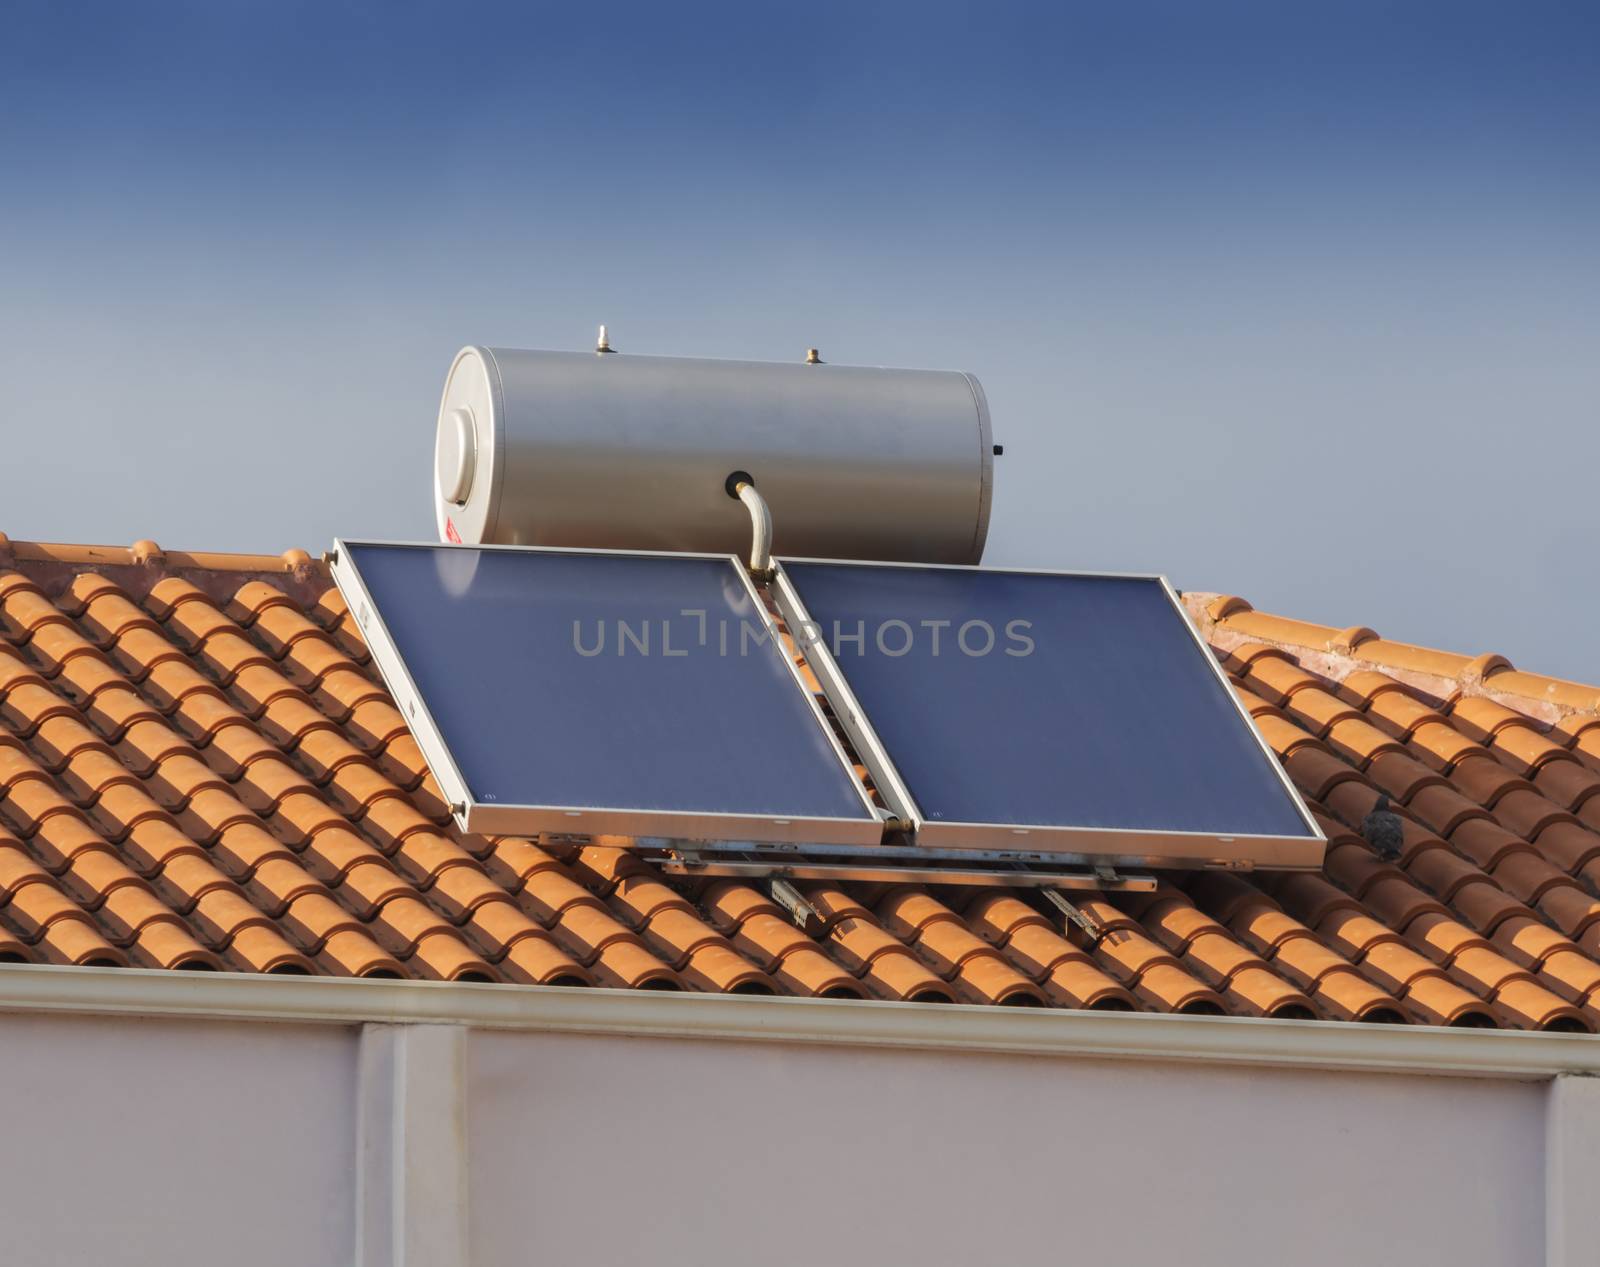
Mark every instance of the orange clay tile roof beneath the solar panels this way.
pixel 199 769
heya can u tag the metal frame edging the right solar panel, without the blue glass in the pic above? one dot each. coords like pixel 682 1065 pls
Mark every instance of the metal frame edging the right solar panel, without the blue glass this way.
pixel 1065 842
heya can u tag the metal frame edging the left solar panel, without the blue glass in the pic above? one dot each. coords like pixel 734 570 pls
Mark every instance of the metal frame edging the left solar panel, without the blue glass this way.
pixel 625 823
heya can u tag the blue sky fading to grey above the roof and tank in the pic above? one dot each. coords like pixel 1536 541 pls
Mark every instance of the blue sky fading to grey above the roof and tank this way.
pixel 1298 303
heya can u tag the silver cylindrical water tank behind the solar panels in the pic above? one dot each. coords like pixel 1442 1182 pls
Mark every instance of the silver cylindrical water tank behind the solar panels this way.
pixel 620 452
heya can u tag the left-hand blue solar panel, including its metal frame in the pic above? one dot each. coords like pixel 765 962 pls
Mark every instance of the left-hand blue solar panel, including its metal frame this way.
pixel 593 692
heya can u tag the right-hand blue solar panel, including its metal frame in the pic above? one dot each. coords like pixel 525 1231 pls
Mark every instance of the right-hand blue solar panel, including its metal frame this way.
pixel 1044 711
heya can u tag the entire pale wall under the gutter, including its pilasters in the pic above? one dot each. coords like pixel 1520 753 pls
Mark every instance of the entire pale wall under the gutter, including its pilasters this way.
pixel 174 1143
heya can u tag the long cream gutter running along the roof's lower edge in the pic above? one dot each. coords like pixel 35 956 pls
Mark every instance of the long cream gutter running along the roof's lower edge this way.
pixel 849 1023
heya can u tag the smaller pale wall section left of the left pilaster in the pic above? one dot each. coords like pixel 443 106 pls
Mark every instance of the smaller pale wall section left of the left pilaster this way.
pixel 174 1143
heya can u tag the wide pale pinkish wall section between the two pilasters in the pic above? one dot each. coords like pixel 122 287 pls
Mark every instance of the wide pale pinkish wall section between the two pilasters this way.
pixel 626 1151
